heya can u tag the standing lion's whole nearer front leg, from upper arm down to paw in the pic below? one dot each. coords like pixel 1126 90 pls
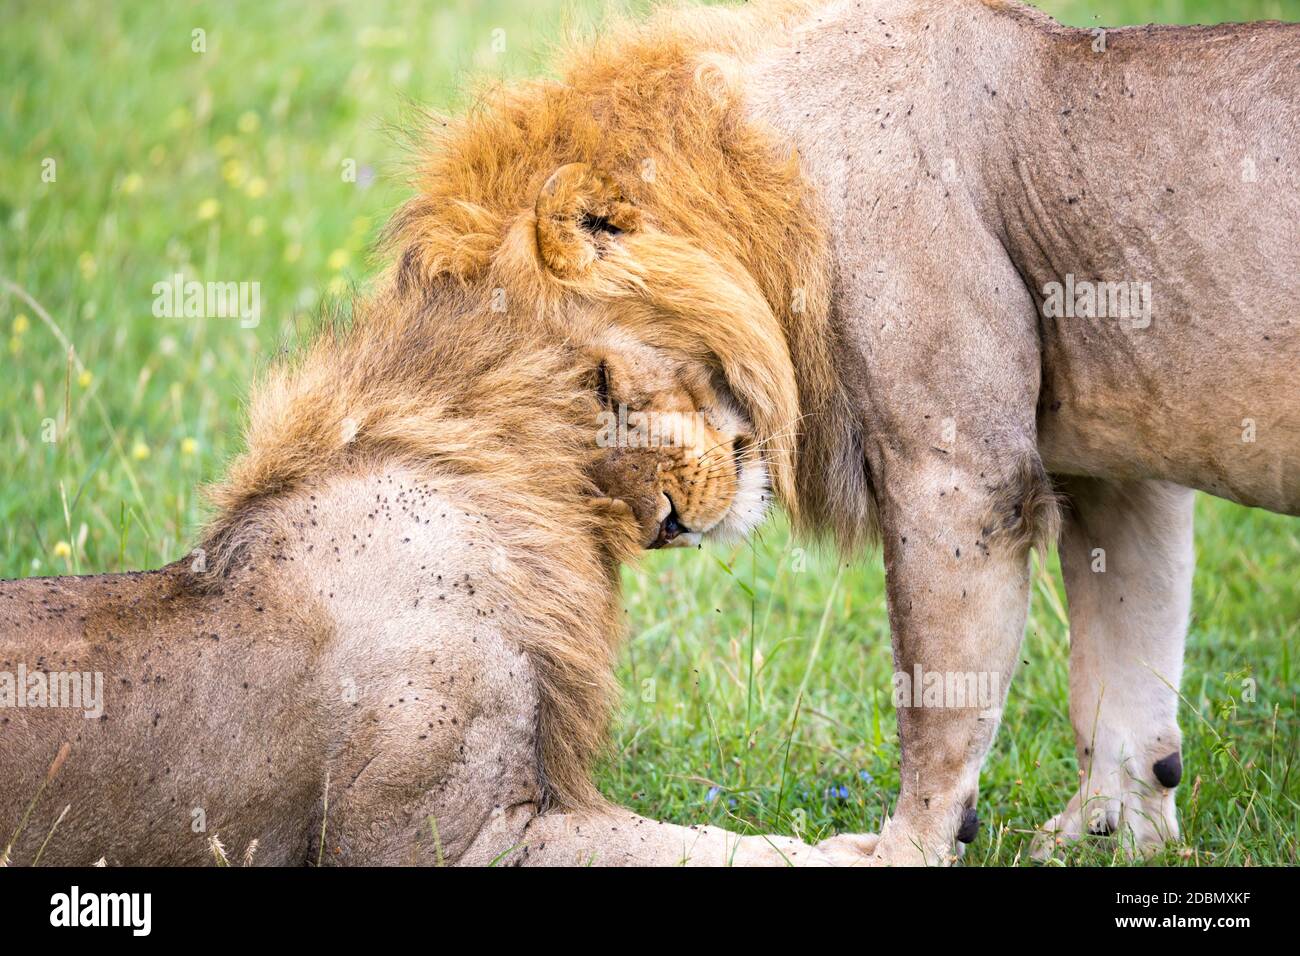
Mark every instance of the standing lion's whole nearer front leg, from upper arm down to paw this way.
pixel 950 391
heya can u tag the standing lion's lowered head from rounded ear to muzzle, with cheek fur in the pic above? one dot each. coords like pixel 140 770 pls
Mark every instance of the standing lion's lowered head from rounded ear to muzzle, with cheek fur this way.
pixel 697 377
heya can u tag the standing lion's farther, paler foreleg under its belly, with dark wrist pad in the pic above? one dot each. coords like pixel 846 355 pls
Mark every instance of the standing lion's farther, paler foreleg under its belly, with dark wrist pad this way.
pixel 1126 556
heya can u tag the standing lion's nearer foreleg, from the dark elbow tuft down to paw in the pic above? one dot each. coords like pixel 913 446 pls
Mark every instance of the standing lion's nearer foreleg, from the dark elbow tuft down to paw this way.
pixel 959 594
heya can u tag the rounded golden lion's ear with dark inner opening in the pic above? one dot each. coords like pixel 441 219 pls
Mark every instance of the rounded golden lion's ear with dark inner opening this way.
pixel 580 211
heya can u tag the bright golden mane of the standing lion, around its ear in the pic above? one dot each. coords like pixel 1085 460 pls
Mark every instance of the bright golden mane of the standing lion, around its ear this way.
pixel 731 266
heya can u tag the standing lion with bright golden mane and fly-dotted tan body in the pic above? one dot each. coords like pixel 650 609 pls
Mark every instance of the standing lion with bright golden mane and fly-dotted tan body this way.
pixel 981 283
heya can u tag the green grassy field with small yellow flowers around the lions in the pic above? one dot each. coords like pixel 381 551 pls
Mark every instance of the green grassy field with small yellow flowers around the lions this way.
pixel 757 681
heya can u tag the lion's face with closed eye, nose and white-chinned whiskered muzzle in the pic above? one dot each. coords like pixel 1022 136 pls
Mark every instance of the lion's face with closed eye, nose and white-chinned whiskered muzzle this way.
pixel 674 447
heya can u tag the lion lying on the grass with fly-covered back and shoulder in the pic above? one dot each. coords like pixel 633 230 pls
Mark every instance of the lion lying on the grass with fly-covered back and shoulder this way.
pixel 395 643
